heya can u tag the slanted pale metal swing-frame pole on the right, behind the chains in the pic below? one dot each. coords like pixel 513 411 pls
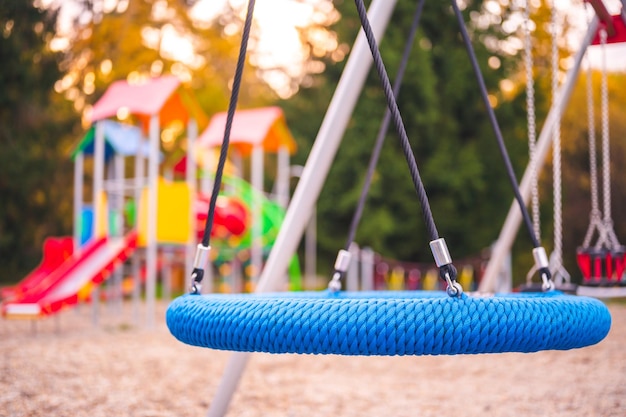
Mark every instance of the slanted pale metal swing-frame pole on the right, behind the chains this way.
pixel 503 245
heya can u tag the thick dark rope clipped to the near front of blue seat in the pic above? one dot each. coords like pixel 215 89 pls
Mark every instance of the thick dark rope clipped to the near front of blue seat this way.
pixel 447 270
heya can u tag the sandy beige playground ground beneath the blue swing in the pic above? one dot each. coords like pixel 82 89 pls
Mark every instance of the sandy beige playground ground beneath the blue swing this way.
pixel 69 367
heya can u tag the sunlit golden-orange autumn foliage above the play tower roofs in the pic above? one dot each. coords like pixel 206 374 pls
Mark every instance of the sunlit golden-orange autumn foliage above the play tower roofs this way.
pixel 150 38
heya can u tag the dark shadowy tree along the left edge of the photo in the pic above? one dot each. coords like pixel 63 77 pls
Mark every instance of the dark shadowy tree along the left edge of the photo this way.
pixel 36 124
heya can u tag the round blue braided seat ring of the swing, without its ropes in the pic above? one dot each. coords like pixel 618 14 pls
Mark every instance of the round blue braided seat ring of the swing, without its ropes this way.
pixel 388 323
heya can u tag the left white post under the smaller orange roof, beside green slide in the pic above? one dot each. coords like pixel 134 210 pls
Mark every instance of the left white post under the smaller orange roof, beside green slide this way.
pixel 257 217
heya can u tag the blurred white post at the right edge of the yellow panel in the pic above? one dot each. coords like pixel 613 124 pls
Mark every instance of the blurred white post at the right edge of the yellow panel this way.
pixel 191 178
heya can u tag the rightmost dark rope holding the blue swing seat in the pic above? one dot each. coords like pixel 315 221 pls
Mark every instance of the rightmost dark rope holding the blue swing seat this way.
pixel 496 128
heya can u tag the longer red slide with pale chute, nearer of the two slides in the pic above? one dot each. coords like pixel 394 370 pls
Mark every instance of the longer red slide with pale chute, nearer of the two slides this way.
pixel 73 280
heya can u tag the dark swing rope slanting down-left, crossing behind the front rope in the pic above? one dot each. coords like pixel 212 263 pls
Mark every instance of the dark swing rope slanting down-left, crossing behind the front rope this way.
pixel 335 284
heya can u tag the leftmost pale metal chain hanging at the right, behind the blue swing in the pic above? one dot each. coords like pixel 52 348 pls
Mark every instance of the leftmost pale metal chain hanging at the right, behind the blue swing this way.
pixel 531 120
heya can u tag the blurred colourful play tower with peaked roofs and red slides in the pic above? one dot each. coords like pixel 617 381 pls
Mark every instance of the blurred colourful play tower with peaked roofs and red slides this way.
pixel 110 234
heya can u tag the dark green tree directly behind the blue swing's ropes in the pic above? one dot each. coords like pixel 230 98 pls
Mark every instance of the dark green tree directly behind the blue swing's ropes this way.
pixel 447 124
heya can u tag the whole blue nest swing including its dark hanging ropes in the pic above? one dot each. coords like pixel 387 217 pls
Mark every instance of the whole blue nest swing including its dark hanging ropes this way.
pixel 386 323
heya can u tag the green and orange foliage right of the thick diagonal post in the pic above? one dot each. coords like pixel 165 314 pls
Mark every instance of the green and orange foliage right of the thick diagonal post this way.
pixel 451 137
